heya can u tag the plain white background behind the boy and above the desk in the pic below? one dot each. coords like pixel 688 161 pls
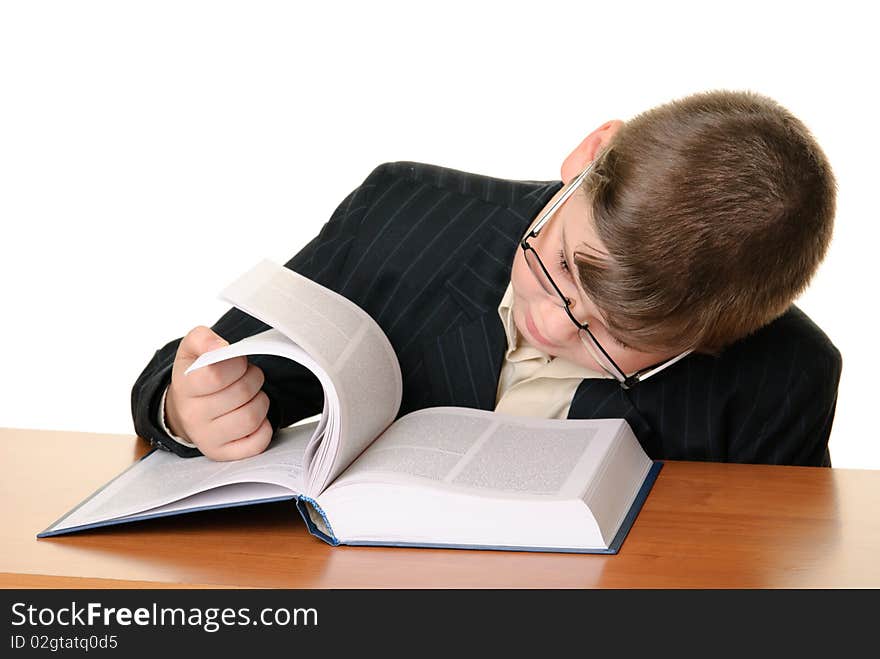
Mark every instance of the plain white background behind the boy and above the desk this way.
pixel 151 152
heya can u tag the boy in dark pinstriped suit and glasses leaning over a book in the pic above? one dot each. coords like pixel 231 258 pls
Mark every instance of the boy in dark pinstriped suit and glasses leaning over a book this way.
pixel 655 285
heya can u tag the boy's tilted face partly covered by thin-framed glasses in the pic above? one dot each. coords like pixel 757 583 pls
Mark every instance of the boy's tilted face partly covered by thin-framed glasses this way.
pixel 540 318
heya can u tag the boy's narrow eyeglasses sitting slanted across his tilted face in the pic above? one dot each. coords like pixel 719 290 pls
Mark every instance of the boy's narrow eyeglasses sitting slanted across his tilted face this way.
pixel 592 345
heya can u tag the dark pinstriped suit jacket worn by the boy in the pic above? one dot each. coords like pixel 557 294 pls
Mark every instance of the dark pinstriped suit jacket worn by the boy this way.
pixel 427 252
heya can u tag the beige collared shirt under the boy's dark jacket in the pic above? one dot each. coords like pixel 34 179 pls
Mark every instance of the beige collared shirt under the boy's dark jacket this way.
pixel 532 383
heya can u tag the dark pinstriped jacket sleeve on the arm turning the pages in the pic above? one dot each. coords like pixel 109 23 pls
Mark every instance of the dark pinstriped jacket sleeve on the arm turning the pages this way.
pixel 294 392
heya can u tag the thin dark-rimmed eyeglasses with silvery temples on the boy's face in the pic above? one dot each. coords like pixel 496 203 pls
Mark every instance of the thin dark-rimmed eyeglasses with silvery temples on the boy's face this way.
pixel 626 381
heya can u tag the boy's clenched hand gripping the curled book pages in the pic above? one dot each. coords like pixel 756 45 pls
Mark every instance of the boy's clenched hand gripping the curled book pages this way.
pixel 220 408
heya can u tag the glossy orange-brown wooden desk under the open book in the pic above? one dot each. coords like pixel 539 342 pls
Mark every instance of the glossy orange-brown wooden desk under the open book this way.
pixel 703 526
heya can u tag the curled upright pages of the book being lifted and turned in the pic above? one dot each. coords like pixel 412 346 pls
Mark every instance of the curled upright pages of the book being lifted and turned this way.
pixel 336 340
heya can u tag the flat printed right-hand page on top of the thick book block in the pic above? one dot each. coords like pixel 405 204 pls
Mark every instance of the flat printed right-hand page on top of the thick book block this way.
pixel 486 451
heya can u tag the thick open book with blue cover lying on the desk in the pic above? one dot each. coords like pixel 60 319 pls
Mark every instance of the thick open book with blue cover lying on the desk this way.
pixel 437 477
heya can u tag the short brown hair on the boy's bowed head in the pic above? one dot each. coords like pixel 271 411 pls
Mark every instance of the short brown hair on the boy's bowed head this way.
pixel 716 210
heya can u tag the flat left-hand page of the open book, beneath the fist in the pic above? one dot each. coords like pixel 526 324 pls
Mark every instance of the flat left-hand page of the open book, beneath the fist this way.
pixel 162 478
